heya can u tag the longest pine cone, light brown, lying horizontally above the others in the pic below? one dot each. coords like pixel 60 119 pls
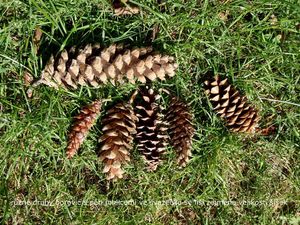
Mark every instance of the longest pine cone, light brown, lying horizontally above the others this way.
pixel 94 66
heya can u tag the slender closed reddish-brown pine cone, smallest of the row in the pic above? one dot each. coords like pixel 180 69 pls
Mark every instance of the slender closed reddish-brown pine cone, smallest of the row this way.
pixel 84 122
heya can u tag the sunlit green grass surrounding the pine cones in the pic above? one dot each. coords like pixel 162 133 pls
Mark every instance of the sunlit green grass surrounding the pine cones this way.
pixel 262 59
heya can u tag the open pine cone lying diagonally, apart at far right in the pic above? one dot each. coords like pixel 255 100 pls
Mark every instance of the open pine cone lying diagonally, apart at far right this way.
pixel 229 104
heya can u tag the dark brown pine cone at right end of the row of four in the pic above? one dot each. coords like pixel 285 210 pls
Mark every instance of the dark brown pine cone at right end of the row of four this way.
pixel 181 129
